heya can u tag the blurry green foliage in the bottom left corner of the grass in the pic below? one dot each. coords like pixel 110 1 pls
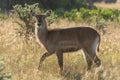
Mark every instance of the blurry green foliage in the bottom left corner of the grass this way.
pixel 4 75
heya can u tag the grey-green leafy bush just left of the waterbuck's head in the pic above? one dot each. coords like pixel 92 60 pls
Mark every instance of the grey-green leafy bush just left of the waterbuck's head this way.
pixel 24 14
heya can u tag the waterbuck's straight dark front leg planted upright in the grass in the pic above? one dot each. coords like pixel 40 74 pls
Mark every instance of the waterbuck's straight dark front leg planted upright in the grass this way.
pixel 60 60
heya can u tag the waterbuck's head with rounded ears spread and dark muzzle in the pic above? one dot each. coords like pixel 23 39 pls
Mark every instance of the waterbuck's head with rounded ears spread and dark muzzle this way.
pixel 40 18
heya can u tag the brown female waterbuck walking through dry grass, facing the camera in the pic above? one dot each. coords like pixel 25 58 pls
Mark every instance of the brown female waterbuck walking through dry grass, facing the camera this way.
pixel 67 40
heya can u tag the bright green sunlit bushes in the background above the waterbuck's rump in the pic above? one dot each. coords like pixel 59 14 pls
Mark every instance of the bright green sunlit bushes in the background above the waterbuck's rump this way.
pixel 86 14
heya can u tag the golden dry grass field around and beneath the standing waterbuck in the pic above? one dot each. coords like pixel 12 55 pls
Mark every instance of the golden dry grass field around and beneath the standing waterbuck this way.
pixel 21 59
